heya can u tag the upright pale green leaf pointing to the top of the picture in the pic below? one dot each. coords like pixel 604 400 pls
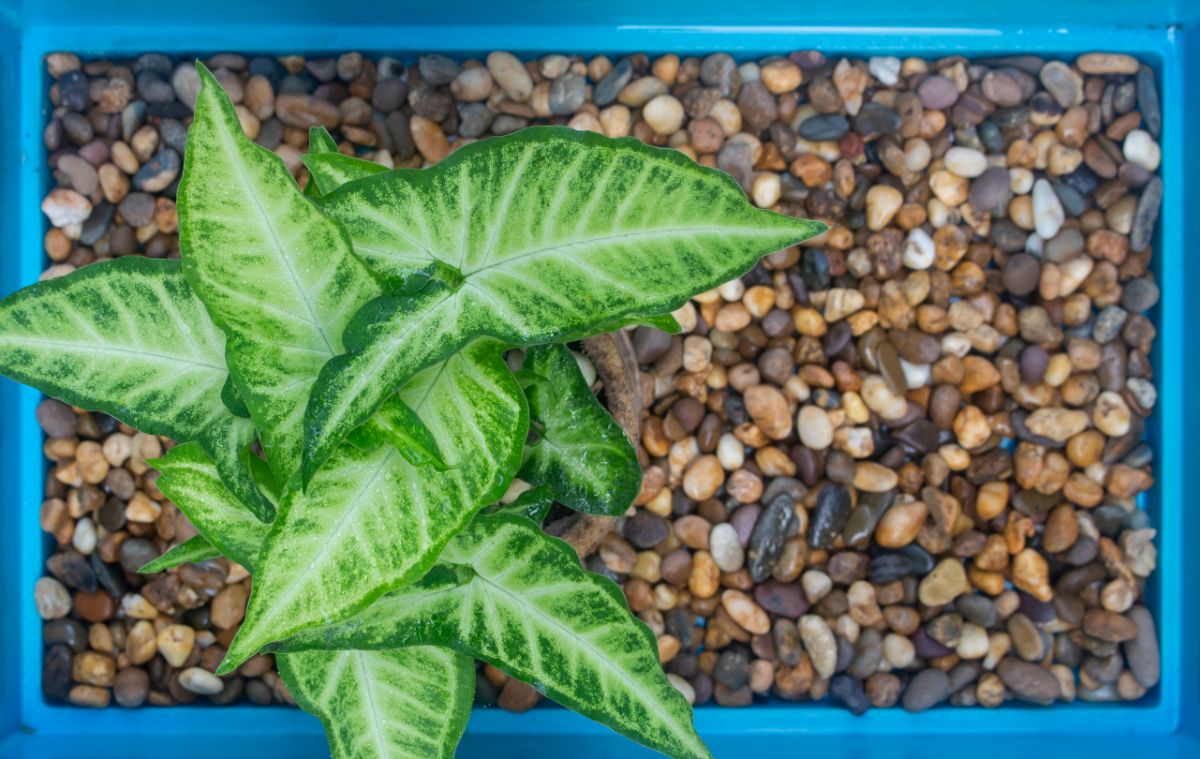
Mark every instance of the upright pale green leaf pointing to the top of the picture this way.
pixel 274 273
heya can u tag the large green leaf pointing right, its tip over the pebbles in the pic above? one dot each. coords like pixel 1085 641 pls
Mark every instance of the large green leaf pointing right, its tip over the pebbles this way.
pixel 542 236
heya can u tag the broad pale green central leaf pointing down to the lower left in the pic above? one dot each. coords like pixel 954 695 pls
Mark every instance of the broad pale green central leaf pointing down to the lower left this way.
pixel 371 522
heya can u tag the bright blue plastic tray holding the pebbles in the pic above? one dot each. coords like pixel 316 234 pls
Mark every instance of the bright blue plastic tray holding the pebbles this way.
pixel 1162 33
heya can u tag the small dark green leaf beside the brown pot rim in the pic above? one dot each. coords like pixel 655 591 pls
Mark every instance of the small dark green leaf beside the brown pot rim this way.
pixel 581 453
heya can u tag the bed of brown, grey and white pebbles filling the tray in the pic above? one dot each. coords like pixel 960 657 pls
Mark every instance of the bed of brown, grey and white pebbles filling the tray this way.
pixel 898 467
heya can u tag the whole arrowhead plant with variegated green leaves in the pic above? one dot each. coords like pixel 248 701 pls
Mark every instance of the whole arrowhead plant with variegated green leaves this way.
pixel 332 364
